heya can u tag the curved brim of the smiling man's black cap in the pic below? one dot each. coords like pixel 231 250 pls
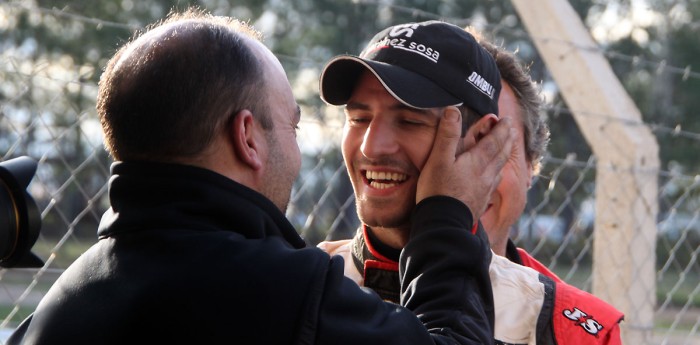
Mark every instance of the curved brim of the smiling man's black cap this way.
pixel 339 77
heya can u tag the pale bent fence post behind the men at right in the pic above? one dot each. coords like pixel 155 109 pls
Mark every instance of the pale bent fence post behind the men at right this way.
pixel 627 162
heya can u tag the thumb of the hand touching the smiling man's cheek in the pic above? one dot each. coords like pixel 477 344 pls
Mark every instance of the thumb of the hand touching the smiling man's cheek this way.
pixel 442 156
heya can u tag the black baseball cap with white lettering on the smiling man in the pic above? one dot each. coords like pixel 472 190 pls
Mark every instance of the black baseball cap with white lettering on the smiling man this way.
pixel 429 64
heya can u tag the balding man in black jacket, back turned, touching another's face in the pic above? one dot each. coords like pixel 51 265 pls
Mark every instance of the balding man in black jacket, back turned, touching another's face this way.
pixel 201 122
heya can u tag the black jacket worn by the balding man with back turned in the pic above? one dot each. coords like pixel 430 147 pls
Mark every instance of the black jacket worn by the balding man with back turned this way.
pixel 187 256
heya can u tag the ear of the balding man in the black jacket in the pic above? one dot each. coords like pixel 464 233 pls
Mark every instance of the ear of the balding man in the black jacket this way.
pixel 246 145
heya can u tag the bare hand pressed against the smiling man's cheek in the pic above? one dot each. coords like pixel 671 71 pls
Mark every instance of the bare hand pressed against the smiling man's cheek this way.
pixel 472 175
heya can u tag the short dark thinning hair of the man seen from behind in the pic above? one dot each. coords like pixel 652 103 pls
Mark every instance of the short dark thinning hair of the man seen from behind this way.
pixel 164 97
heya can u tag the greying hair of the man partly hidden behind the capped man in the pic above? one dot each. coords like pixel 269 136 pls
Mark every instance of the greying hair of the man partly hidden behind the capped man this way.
pixel 529 99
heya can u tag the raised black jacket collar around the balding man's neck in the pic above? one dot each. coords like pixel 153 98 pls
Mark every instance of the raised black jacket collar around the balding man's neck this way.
pixel 149 195
